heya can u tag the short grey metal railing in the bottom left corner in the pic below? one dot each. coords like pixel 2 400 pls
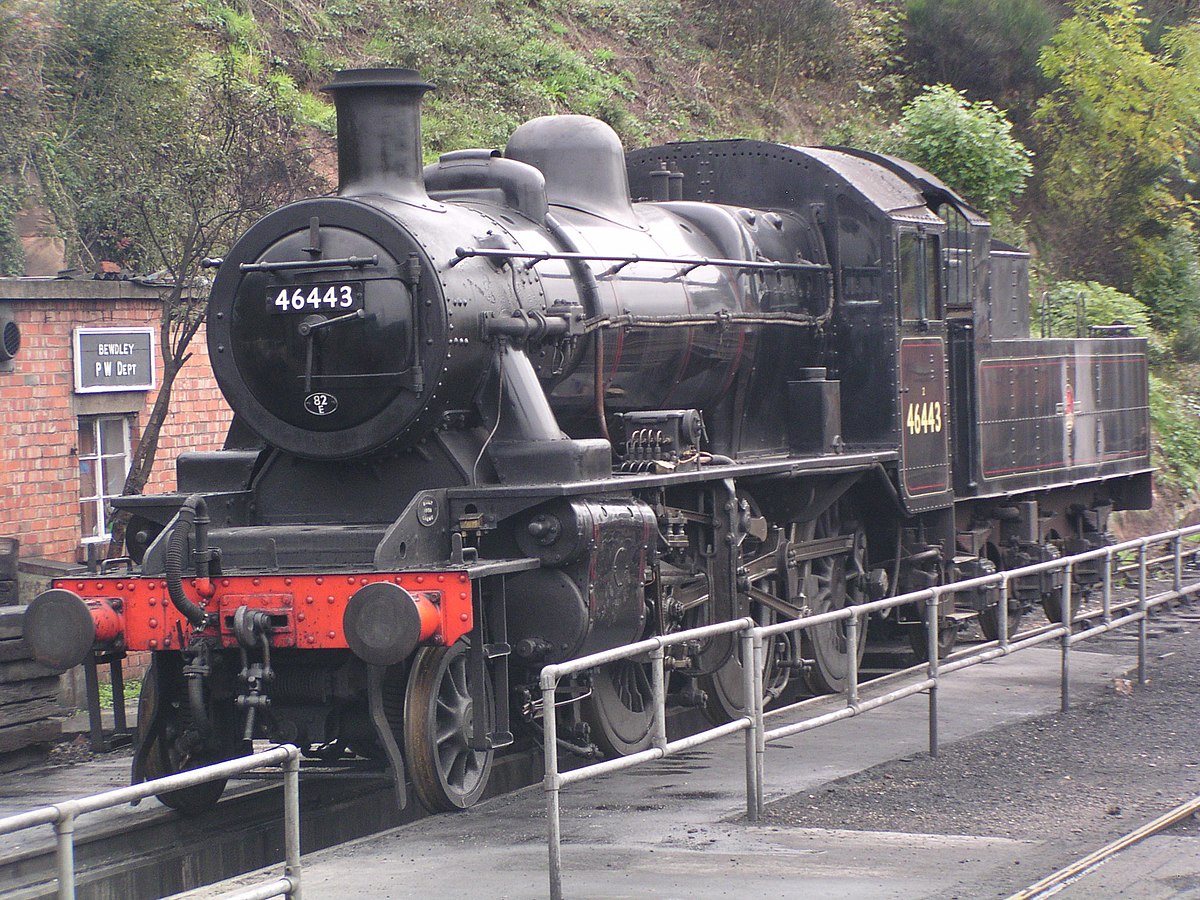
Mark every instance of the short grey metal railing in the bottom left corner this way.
pixel 63 817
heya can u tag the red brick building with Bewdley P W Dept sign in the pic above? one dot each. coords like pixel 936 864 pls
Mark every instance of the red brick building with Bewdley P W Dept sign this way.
pixel 67 436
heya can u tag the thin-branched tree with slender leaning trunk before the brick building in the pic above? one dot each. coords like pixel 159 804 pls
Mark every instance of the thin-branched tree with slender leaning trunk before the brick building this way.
pixel 158 142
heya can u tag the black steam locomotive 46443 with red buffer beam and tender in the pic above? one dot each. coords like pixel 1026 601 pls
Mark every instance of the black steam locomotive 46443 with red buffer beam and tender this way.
pixel 496 413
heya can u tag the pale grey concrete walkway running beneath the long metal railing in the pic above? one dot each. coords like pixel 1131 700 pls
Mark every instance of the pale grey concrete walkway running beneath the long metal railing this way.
pixel 674 829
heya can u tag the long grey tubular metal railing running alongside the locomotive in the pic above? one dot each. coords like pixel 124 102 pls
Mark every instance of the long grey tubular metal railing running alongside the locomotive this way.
pixel 1129 557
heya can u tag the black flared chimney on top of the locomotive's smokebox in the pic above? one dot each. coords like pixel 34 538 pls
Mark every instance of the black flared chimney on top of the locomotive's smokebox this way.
pixel 380 131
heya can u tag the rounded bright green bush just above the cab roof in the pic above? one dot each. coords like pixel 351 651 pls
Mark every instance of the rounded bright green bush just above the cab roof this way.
pixel 968 145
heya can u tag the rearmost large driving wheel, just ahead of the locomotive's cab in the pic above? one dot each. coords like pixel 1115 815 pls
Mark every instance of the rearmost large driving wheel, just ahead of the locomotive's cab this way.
pixel 835 584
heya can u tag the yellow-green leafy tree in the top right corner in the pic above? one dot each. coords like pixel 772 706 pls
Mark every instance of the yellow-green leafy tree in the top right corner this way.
pixel 1117 134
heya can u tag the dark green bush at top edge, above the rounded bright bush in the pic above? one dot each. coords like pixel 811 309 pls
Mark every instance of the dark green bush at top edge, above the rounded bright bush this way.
pixel 987 49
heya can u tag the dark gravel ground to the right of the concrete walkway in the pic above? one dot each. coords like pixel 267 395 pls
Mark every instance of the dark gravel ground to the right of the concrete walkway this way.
pixel 1114 763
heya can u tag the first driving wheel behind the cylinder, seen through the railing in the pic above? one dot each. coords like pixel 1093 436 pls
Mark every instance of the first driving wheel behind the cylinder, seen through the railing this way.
pixel 621 707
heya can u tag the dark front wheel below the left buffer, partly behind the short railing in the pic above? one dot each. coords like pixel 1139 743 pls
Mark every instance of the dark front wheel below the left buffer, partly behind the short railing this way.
pixel 176 747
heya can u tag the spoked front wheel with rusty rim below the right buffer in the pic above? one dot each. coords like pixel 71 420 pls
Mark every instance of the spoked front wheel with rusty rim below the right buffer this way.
pixel 448 775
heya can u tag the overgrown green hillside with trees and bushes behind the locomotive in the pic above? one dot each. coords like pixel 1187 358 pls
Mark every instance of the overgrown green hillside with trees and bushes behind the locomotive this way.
pixel 143 135
